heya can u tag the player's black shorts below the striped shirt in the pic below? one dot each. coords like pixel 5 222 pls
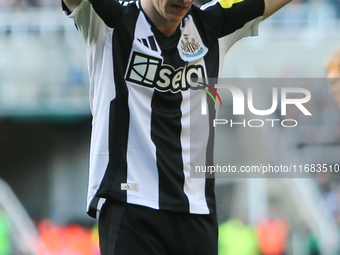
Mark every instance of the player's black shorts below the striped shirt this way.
pixel 127 229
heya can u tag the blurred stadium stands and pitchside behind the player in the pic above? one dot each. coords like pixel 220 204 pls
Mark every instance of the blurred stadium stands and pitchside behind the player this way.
pixel 45 130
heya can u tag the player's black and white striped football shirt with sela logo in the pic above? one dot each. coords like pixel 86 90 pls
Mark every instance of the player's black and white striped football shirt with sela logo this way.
pixel 144 136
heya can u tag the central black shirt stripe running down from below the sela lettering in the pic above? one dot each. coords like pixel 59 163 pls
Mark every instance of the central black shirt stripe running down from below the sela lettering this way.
pixel 166 134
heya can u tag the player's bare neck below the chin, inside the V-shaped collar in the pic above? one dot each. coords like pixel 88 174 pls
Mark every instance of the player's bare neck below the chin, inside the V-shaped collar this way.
pixel 161 23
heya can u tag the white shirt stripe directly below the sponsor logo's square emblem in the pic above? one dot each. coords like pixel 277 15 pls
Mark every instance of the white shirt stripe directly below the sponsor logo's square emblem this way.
pixel 141 152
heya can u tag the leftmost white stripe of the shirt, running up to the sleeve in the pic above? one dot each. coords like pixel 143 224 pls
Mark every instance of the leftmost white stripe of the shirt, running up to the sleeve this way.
pixel 100 65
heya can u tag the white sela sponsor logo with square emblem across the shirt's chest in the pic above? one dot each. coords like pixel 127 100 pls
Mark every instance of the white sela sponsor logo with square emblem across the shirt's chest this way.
pixel 149 71
